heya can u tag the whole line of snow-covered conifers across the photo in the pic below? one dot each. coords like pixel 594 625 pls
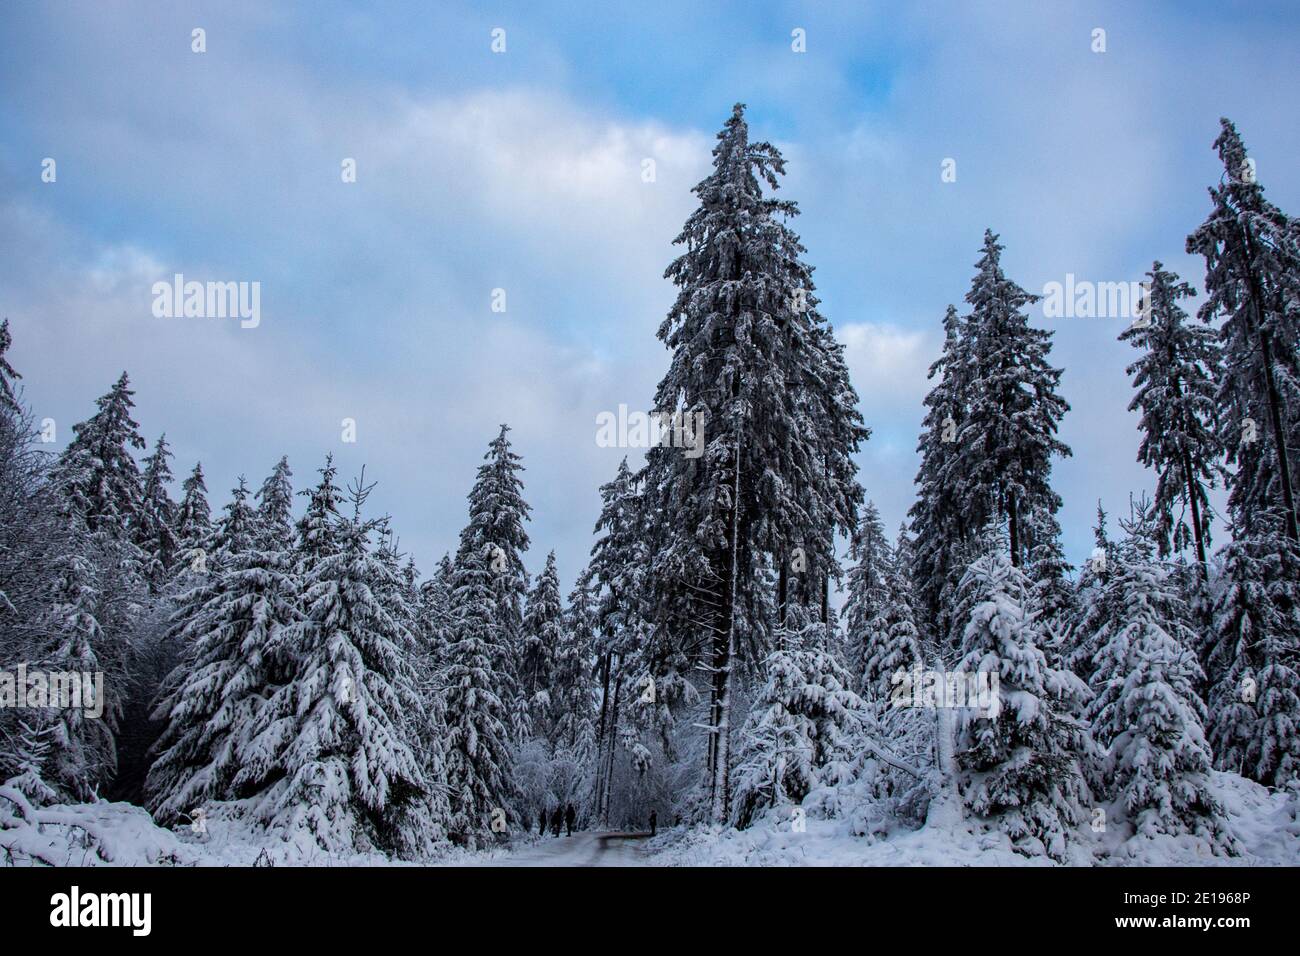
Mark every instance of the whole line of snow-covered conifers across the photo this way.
pixel 301 674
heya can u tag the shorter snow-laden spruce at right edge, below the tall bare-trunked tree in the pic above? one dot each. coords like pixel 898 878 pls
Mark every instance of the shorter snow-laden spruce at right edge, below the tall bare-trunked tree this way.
pixel 1255 699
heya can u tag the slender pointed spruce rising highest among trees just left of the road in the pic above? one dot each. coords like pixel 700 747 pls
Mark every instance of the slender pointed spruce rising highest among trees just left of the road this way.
pixel 497 516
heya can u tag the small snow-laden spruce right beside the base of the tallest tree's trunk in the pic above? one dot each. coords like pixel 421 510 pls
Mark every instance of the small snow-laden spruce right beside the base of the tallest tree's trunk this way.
pixel 805 717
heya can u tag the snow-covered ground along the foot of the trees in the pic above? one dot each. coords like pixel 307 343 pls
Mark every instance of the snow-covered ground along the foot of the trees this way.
pixel 1267 825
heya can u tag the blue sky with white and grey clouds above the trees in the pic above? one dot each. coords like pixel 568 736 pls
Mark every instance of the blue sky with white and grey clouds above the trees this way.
pixel 523 171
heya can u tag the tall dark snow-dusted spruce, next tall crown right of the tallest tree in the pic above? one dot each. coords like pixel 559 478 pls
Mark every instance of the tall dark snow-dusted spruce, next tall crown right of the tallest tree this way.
pixel 1008 439
